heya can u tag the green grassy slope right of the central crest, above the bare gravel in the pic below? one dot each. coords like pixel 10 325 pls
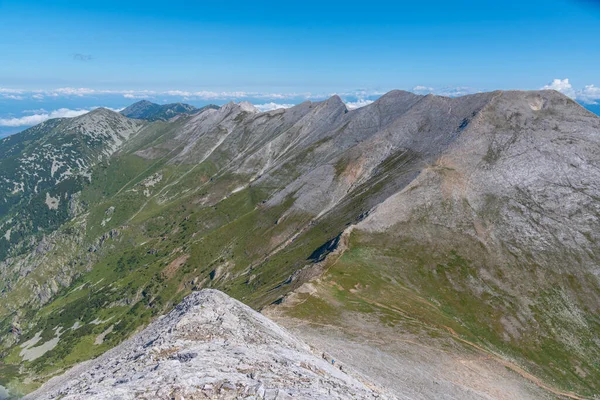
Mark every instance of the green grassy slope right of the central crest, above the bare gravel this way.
pixel 427 286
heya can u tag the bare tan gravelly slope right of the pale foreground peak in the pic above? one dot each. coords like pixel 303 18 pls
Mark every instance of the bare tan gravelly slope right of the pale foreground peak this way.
pixel 413 366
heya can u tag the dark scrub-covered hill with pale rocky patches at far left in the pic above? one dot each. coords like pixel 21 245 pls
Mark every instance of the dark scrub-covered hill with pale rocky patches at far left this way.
pixel 44 167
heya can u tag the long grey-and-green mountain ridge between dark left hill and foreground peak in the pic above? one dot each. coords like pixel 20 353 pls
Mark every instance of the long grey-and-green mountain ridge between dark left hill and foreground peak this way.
pixel 450 201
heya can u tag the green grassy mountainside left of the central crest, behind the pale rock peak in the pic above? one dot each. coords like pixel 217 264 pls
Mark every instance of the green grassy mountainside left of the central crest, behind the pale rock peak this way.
pixel 126 280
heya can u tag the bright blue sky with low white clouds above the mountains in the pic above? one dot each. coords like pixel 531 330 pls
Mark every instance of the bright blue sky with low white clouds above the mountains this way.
pixel 60 55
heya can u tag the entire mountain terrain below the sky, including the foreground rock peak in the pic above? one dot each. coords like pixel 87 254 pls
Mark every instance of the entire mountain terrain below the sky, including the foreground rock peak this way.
pixel 434 247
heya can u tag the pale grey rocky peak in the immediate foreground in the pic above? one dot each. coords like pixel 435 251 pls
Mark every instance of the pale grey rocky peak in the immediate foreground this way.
pixel 209 346
